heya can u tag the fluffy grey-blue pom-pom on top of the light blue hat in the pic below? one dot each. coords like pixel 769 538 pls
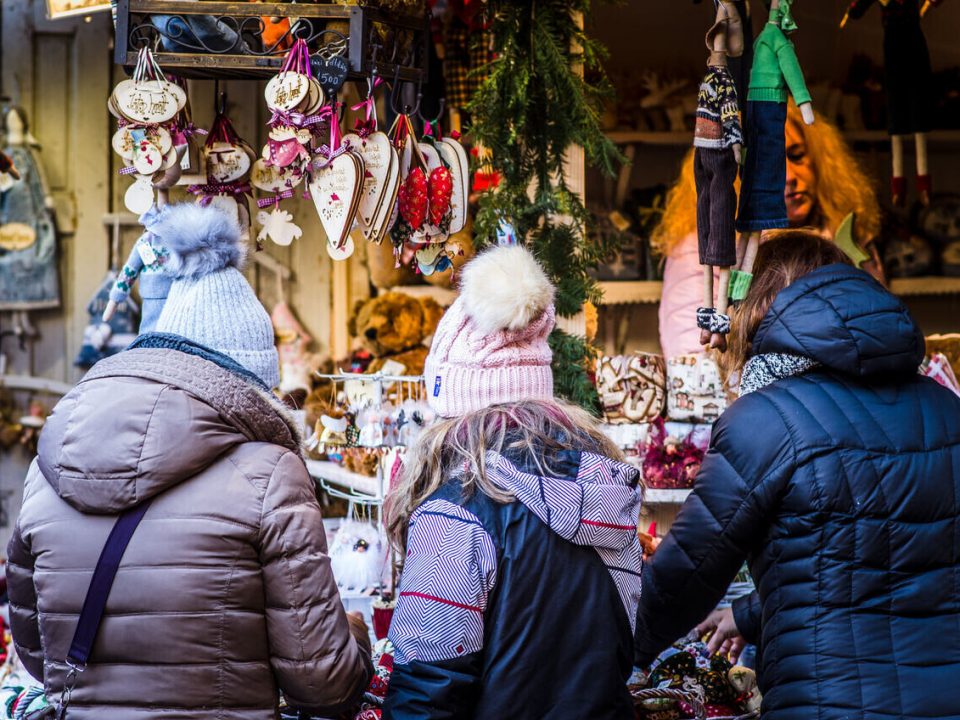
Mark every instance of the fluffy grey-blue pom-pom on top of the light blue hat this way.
pixel 201 239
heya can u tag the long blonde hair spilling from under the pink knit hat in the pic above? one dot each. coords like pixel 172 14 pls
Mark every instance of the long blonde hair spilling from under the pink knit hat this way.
pixel 458 446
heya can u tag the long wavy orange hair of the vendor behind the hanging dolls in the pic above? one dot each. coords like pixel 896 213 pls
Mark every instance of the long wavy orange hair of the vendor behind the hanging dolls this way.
pixel 842 188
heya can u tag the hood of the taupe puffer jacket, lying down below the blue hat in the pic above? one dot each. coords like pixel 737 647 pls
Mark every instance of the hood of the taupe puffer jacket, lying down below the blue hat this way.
pixel 147 419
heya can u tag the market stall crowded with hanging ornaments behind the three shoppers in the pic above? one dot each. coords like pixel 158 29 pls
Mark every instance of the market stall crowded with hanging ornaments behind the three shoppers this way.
pixel 369 150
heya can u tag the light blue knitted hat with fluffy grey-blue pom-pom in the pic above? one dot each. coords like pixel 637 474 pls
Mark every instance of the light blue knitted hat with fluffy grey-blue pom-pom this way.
pixel 210 302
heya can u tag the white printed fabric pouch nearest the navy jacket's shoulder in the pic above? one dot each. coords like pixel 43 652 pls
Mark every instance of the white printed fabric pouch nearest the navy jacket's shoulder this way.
pixel 694 389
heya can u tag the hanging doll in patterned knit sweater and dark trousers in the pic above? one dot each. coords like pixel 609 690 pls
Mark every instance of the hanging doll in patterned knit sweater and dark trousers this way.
pixel 718 142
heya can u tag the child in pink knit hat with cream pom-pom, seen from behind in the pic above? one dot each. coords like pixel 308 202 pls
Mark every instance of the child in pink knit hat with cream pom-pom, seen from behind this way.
pixel 516 521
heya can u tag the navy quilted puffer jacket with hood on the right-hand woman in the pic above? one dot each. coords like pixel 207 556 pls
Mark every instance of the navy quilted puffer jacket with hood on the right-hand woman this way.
pixel 841 486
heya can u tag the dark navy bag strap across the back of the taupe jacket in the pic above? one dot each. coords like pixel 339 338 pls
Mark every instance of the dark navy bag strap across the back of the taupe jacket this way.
pixel 92 612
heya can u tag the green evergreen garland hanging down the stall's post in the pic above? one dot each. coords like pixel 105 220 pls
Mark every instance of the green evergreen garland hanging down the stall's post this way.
pixel 533 105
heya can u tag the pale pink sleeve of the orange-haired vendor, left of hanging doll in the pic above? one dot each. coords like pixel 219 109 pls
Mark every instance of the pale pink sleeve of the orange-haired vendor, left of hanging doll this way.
pixel 682 295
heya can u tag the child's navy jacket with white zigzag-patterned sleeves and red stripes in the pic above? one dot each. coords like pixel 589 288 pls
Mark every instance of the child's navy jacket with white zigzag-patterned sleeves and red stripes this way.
pixel 522 610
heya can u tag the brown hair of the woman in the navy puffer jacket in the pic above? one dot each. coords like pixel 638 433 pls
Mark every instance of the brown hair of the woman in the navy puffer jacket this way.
pixel 786 257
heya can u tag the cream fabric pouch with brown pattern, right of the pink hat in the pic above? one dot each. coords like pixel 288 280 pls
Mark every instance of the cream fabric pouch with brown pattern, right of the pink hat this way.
pixel 632 388
